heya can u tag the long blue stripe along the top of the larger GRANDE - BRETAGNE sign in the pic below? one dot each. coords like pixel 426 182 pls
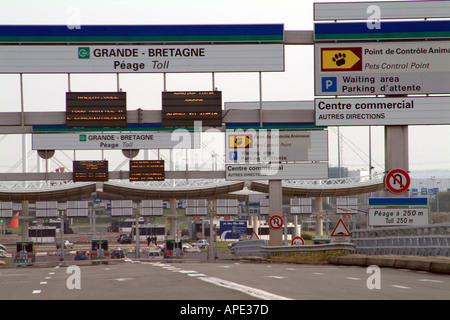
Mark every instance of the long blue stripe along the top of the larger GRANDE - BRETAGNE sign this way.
pixel 141 30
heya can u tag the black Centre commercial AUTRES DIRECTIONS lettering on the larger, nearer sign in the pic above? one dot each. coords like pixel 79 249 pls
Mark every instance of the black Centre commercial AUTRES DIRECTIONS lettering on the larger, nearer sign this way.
pixel 322 105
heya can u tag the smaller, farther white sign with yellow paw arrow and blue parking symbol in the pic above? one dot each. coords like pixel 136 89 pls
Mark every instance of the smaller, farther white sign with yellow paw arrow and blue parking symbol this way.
pixel 276 145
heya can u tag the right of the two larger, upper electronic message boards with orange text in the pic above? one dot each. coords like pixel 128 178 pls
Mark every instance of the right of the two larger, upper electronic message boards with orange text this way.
pixel 182 109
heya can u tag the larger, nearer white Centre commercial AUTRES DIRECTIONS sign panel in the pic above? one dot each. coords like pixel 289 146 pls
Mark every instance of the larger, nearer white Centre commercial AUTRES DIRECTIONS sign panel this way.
pixel 373 111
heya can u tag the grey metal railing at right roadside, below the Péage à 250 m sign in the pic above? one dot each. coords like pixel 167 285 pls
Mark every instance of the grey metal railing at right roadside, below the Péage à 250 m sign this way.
pixel 428 240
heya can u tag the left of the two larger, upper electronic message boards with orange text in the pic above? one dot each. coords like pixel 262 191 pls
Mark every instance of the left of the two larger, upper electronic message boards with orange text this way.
pixel 96 109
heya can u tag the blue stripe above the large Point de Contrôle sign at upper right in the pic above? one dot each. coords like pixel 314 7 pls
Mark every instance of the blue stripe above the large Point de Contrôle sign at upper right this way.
pixel 386 27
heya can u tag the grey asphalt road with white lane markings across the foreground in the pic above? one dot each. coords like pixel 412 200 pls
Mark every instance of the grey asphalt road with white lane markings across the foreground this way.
pixel 234 281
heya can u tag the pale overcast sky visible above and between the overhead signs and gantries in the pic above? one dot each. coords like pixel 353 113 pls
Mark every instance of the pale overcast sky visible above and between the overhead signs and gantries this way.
pixel 429 146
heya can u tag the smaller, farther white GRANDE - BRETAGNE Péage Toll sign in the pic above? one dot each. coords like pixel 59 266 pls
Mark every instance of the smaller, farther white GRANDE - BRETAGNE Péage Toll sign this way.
pixel 115 141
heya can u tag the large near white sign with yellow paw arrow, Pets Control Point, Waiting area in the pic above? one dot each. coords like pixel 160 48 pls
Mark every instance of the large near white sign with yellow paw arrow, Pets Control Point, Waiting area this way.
pixel 382 68
